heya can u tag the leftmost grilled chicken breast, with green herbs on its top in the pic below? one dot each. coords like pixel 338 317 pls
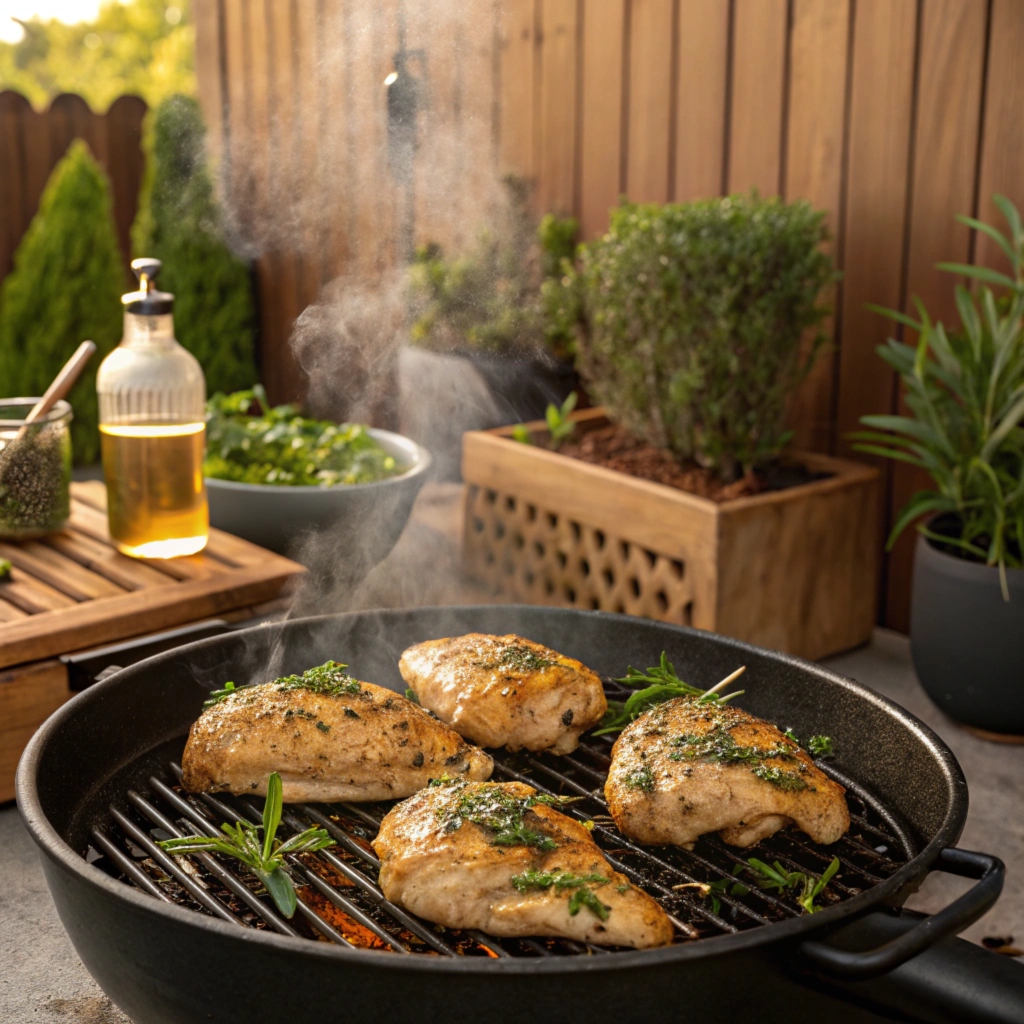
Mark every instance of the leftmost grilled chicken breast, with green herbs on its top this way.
pixel 329 737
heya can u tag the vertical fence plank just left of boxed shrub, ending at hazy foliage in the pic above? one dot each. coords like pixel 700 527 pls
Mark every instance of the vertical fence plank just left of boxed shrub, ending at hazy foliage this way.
pixel 557 159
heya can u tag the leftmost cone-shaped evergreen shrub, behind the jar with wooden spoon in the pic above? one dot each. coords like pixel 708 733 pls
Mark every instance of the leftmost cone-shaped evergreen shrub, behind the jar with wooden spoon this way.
pixel 66 287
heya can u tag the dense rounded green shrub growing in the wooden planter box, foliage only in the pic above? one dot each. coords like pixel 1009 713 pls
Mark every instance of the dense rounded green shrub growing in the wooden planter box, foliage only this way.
pixel 695 320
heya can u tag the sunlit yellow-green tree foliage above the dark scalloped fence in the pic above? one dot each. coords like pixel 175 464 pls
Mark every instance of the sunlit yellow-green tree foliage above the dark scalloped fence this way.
pixel 145 48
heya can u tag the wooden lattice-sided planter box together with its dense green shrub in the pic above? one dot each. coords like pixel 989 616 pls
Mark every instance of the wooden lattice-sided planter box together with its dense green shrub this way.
pixel 679 500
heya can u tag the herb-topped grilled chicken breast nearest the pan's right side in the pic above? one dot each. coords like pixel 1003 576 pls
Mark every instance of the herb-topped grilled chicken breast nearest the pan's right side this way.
pixel 689 767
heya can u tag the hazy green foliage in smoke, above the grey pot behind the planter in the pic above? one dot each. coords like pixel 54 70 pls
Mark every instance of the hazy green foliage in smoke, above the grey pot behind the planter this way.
pixel 493 298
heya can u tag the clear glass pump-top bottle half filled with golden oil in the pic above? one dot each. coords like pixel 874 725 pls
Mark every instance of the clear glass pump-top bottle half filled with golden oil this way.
pixel 153 431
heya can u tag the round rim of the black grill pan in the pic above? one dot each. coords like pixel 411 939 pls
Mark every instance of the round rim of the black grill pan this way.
pixel 64 857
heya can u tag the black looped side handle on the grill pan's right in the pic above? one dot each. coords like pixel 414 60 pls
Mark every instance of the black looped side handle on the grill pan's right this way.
pixel 953 920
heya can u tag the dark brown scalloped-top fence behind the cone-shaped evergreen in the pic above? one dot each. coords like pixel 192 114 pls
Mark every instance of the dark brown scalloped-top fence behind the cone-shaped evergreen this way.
pixel 32 143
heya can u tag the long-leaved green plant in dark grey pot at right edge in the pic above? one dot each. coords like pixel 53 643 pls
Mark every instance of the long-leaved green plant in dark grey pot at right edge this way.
pixel 965 394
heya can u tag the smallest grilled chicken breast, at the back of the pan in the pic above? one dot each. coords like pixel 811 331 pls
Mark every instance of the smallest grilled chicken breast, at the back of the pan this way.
pixel 505 692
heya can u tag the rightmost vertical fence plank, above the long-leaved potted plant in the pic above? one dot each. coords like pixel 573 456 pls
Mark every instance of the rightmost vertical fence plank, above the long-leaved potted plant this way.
pixel 1003 150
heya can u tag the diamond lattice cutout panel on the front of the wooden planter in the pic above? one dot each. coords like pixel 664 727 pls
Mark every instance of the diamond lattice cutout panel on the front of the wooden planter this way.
pixel 530 554
